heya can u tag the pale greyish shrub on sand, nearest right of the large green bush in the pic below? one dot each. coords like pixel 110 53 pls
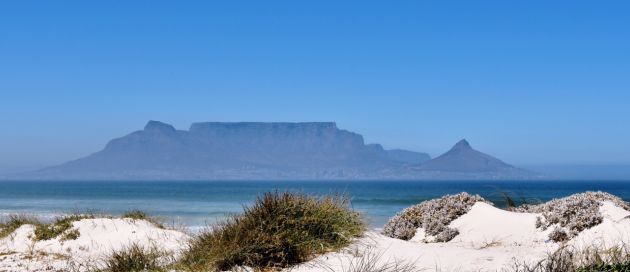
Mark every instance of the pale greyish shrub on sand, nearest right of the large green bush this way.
pixel 433 216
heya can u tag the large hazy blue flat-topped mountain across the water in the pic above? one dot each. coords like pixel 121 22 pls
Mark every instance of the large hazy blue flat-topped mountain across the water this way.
pixel 244 150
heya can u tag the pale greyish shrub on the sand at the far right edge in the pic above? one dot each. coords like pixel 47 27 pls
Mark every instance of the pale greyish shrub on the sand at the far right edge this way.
pixel 572 214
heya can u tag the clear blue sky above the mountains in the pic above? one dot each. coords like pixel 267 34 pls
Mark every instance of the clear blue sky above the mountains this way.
pixel 530 82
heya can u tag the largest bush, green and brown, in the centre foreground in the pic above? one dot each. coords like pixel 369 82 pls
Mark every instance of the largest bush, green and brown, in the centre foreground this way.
pixel 279 230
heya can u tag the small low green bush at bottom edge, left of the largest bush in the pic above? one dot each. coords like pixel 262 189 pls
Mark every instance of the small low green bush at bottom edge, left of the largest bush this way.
pixel 135 258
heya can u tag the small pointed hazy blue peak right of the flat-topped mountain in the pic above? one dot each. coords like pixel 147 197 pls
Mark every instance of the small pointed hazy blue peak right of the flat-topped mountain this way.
pixel 462 161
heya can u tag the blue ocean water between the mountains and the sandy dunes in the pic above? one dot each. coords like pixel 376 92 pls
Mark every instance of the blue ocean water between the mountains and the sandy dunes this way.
pixel 200 203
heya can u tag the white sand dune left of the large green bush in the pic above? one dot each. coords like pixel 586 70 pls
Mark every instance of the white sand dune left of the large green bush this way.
pixel 98 238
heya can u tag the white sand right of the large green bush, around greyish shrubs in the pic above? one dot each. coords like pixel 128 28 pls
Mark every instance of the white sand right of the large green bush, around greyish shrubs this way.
pixel 490 239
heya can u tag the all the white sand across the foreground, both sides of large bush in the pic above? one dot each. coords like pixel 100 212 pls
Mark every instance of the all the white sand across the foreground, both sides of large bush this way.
pixel 490 239
